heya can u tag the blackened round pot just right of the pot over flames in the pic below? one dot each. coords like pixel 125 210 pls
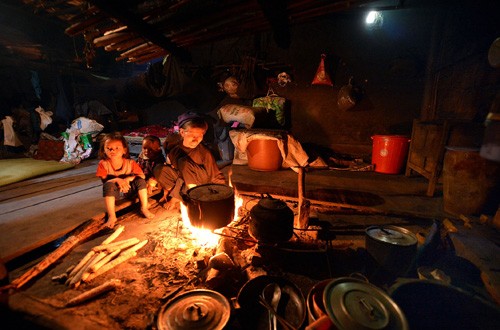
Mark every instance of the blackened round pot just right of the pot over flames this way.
pixel 271 220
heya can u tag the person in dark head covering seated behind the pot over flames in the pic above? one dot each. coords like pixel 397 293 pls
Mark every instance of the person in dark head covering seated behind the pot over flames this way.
pixel 190 163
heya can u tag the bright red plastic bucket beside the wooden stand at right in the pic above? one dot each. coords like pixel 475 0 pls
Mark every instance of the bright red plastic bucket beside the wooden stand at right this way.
pixel 389 153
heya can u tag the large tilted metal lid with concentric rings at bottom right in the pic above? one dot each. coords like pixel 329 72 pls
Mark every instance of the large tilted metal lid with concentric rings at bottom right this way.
pixel 356 305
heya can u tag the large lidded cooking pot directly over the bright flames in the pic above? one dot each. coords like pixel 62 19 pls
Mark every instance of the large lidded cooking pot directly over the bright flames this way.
pixel 210 206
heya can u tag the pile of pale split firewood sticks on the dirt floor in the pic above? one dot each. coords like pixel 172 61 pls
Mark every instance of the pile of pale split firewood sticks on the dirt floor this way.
pixel 101 258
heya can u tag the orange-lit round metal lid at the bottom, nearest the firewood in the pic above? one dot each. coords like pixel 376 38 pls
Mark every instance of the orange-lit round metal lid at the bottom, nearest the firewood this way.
pixel 196 309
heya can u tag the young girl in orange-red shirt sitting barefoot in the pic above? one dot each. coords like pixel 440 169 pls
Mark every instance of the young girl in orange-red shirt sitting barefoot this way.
pixel 120 174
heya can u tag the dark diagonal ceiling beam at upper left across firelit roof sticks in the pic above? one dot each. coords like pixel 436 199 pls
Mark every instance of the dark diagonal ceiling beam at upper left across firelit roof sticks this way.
pixel 117 10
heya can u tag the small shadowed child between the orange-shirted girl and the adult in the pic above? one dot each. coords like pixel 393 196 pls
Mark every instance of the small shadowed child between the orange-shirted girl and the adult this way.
pixel 150 156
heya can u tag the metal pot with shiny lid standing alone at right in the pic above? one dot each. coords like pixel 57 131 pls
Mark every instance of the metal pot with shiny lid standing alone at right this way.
pixel 393 248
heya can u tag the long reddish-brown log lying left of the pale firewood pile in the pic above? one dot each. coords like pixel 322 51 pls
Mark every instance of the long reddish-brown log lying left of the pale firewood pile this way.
pixel 90 228
